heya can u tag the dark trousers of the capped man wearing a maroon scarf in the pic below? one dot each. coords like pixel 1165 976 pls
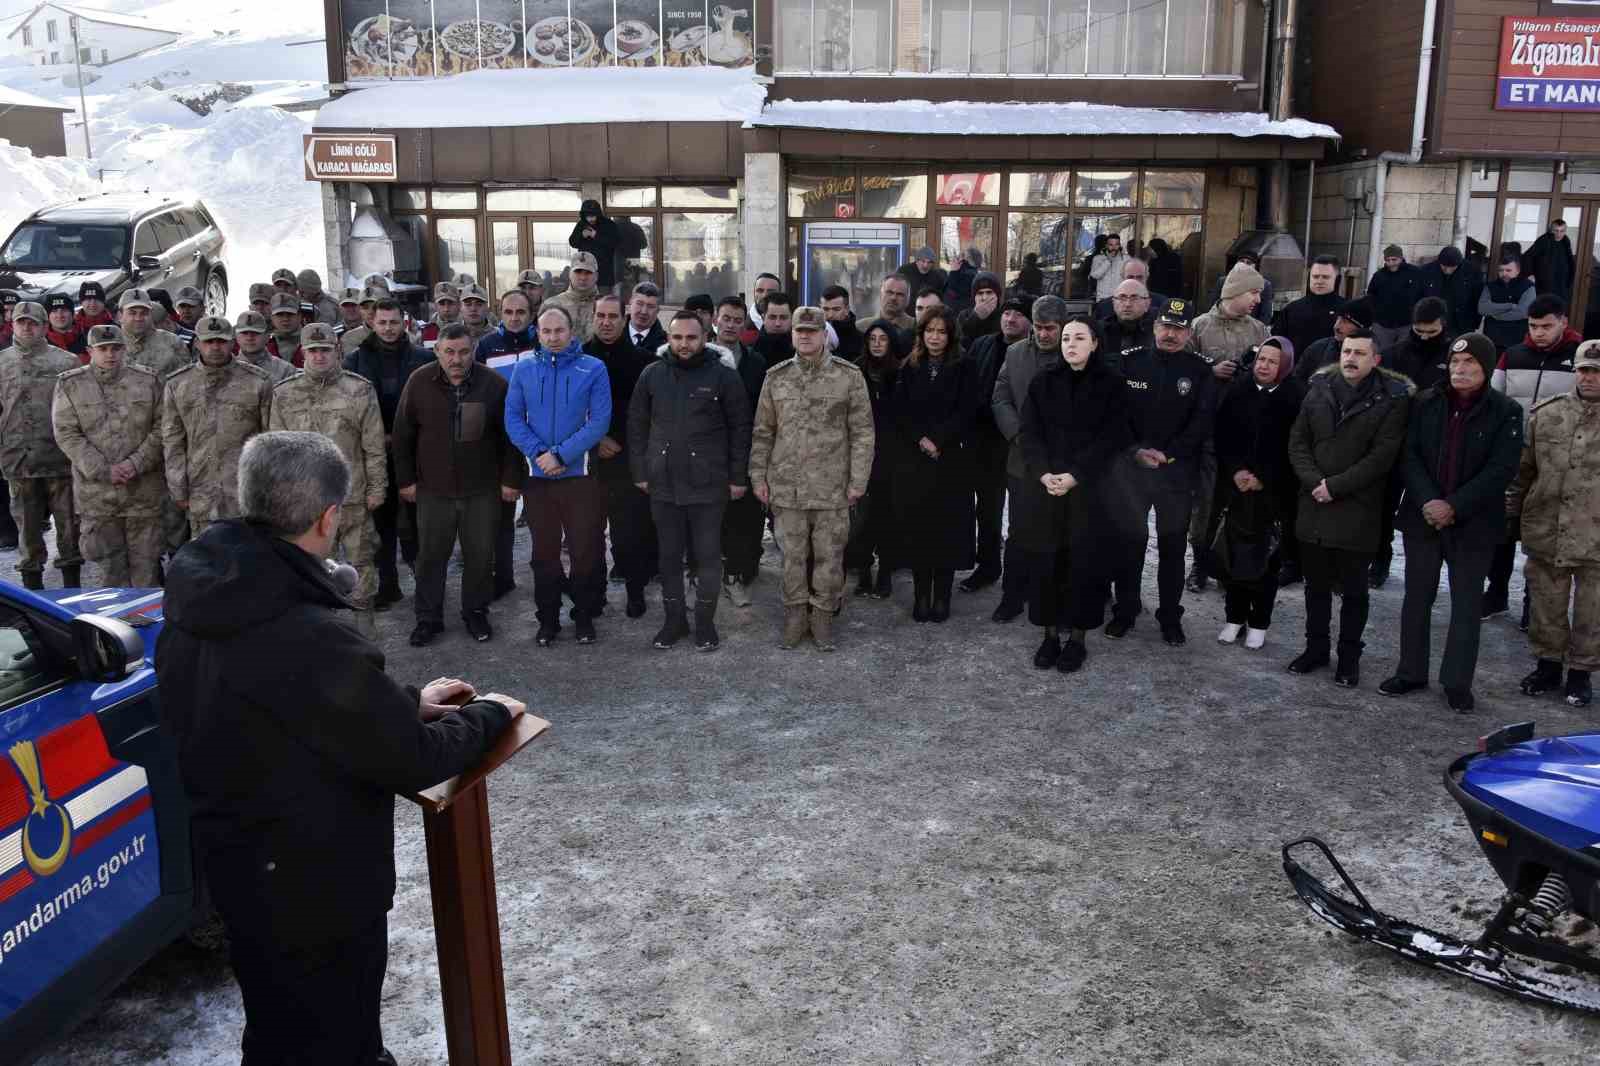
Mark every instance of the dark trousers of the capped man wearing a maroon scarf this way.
pixel 1425 555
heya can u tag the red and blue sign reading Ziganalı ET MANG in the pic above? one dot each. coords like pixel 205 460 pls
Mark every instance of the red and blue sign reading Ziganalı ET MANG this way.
pixel 1550 65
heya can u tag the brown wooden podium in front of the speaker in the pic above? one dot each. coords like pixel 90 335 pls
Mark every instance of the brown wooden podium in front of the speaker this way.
pixel 466 916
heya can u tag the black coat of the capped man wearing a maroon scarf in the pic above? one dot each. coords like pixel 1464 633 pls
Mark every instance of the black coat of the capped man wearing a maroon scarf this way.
pixel 1490 452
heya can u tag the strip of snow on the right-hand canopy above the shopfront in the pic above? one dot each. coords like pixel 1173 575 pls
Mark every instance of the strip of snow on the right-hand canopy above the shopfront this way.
pixel 924 118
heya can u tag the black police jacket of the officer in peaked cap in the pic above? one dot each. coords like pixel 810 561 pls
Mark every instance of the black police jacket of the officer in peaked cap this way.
pixel 1170 404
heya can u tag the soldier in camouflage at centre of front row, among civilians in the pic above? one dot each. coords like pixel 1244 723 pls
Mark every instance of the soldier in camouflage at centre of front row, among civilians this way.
pixel 810 460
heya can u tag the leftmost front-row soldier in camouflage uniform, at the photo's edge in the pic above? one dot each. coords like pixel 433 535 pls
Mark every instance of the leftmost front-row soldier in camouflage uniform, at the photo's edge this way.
pixel 39 473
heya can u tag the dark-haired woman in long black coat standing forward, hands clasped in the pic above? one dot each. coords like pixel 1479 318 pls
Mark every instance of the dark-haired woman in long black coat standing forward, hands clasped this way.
pixel 1074 425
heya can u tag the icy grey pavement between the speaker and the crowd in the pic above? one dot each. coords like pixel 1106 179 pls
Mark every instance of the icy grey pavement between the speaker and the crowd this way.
pixel 922 851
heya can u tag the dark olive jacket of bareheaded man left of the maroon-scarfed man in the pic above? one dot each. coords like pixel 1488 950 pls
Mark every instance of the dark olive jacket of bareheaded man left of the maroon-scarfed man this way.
pixel 1354 449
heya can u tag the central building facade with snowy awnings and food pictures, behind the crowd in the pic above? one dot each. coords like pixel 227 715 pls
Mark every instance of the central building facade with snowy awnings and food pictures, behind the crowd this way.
pixel 825 143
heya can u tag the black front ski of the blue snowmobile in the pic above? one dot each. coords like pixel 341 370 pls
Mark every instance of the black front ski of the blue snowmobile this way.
pixel 1505 958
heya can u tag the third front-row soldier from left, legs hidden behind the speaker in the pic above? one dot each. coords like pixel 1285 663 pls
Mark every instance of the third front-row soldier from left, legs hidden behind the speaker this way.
pixel 210 411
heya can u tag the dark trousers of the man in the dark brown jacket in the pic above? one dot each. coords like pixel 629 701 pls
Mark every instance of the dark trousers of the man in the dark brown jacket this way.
pixel 441 521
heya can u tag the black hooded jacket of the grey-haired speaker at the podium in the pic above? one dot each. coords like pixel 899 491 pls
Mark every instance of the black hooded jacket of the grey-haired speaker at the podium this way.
pixel 292 739
